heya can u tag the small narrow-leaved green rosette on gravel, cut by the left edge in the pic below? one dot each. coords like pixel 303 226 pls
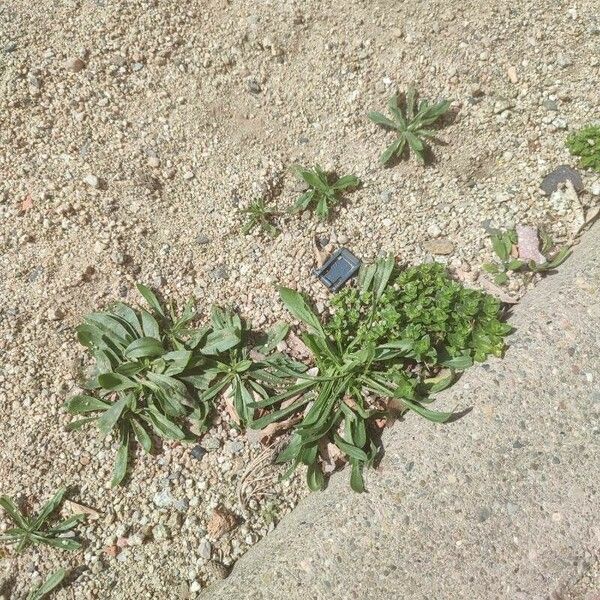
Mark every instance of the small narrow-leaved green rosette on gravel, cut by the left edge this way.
pixel 37 529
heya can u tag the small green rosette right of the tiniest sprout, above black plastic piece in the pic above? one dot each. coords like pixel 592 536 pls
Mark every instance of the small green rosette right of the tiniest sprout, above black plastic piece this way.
pixel 322 193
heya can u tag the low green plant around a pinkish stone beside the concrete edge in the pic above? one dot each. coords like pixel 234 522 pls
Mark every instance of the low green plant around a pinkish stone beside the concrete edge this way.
pixel 505 245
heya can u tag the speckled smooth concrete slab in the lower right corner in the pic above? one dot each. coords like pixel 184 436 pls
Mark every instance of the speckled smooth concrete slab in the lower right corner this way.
pixel 502 504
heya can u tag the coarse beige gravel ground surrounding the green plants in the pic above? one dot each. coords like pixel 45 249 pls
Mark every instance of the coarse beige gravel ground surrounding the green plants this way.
pixel 134 131
